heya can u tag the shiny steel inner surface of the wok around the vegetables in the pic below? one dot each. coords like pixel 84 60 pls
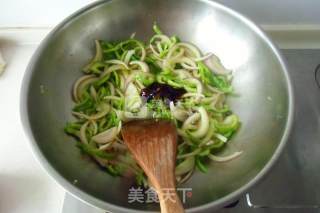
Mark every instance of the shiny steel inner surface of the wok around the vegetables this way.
pixel 264 104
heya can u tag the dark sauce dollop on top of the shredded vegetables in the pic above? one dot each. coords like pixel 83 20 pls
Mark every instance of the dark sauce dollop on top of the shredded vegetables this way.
pixel 162 91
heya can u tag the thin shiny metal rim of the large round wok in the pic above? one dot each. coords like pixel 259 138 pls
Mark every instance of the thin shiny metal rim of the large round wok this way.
pixel 93 201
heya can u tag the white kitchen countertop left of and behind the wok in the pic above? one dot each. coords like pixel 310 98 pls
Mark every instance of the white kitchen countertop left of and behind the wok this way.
pixel 24 185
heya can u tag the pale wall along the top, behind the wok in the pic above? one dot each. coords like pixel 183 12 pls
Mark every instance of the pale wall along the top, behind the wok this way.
pixel 37 13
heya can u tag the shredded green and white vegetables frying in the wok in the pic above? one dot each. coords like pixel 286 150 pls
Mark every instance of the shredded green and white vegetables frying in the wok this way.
pixel 109 94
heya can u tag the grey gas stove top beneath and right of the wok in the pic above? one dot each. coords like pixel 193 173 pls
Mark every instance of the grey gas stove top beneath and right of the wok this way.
pixel 293 185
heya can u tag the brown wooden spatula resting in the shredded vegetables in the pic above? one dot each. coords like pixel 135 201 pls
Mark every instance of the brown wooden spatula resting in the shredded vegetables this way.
pixel 154 146
